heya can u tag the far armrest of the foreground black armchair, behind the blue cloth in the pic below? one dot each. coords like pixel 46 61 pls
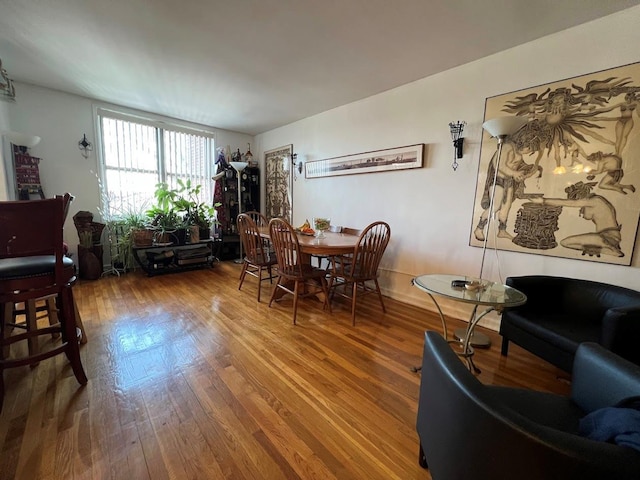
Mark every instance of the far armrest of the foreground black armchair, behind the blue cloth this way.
pixel 601 378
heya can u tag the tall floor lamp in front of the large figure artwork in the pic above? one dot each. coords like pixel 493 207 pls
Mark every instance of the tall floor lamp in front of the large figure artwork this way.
pixel 499 128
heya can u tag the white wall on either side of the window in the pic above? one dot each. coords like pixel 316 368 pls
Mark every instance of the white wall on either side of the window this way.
pixel 61 119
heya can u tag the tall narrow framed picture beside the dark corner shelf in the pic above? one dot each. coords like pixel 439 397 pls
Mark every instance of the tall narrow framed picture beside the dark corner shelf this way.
pixel 278 172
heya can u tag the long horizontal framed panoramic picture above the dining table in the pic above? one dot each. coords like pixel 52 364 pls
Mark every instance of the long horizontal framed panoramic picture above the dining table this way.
pixel 399 158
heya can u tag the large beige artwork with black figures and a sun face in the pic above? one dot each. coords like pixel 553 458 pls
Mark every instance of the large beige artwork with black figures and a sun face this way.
pixel 566 183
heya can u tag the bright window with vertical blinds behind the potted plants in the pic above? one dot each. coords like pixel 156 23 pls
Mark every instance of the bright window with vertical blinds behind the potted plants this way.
pixel 137 154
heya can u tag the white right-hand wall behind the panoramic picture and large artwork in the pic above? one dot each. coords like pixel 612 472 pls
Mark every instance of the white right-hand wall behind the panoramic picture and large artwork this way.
pixel 430 209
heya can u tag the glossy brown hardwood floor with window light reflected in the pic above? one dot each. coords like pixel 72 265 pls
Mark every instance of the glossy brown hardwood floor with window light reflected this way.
pixel 191 378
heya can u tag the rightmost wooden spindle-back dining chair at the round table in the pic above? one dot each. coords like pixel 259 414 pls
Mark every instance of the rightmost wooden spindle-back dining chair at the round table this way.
pixel 355 272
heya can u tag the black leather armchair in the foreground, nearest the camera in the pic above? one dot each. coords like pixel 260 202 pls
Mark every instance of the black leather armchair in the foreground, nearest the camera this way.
pixel 469 430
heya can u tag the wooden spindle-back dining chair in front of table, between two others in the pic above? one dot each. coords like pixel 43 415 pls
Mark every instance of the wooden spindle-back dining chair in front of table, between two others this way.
pixel 295 272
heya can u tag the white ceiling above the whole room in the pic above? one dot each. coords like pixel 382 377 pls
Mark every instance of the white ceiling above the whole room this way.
pixel 254 65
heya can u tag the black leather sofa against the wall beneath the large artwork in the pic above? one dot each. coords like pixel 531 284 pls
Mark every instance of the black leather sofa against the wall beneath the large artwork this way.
pixel 560 313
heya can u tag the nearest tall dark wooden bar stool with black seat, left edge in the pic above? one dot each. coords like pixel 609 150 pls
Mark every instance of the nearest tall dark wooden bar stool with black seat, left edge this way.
pixel 33 266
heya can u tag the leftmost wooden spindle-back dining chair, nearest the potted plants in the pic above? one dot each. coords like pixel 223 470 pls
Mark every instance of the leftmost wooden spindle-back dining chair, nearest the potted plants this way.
pixel 257 256
